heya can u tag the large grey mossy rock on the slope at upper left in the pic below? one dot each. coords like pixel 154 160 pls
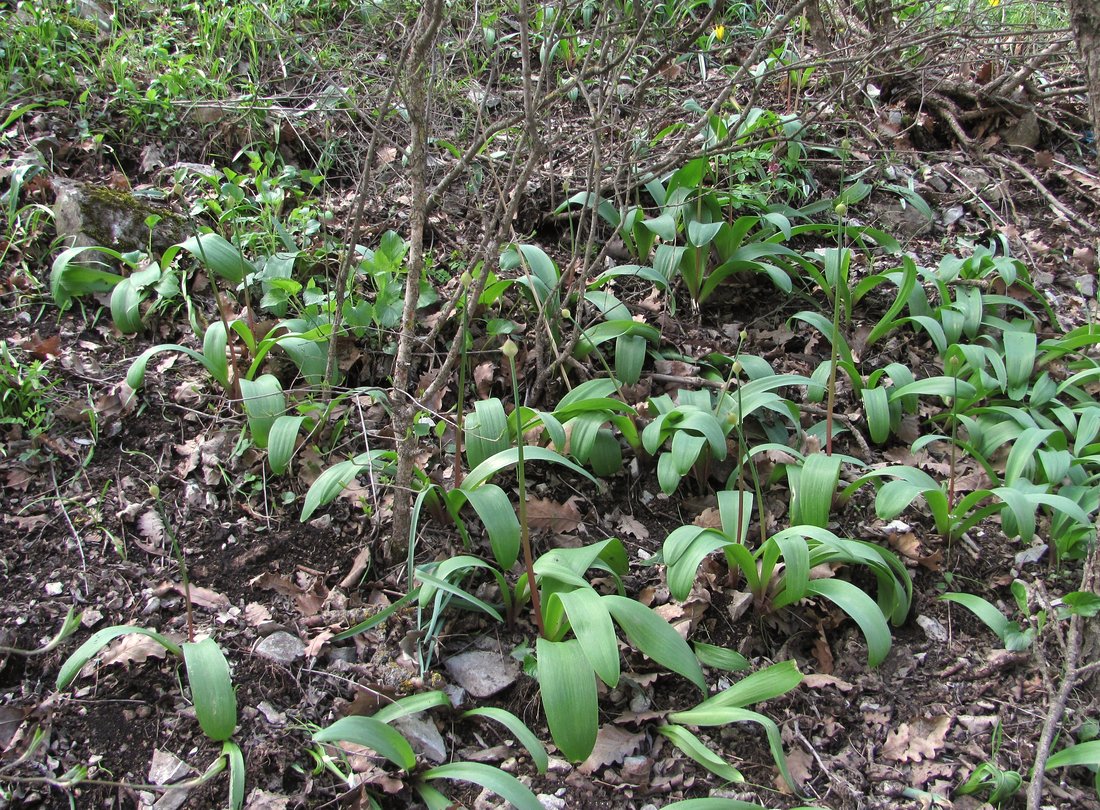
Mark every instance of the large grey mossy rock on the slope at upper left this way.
pixel 86 214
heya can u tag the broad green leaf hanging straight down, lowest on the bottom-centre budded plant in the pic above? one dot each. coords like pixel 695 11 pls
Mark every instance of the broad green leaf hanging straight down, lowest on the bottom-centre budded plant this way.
pixel 568 685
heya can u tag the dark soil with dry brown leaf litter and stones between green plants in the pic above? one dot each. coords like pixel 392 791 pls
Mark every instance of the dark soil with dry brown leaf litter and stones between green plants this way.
pixel 81 528
